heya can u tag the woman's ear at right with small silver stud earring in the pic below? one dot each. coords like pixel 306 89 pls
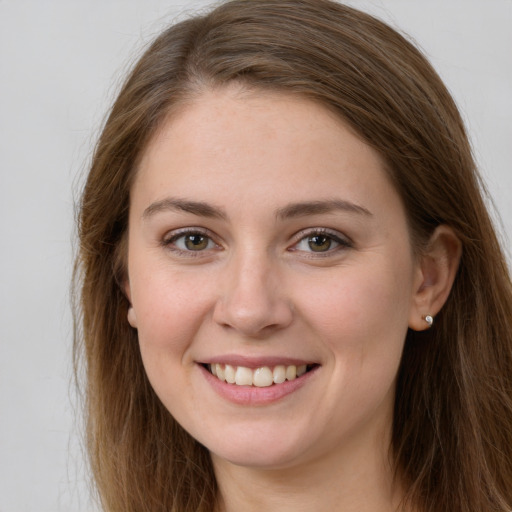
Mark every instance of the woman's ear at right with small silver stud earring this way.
pixel 437 268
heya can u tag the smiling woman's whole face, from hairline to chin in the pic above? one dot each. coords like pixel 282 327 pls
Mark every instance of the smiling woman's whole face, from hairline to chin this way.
pixel 264 235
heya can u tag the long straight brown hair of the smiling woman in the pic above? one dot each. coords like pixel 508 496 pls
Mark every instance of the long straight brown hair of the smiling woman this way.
pixel 452 431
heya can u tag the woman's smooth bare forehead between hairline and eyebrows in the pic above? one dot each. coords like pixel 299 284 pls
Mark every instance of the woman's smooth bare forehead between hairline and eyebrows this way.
pixel 265 146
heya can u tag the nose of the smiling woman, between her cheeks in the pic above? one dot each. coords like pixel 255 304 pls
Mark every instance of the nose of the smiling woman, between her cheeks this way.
pixel 252 299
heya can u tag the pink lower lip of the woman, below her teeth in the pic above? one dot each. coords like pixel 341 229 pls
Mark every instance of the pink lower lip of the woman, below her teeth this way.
pixel 252 395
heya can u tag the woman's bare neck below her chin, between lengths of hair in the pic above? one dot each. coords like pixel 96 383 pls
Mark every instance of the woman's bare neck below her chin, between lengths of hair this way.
pixel 354 478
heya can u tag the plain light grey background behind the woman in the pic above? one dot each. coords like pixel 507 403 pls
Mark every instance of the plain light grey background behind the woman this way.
pixel 60 66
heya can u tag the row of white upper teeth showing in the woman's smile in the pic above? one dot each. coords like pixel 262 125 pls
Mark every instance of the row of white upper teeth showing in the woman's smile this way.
pixel 260 377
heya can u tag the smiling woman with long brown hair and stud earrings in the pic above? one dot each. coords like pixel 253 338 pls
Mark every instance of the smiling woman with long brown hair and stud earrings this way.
pixel 292 295
